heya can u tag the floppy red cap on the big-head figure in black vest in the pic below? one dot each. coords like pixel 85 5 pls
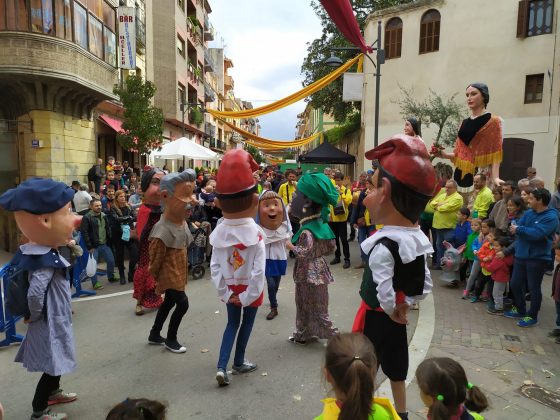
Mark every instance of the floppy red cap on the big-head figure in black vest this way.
pixel 406 160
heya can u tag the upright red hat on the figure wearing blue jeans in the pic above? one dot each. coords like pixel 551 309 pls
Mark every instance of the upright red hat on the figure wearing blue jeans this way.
pixel 235 175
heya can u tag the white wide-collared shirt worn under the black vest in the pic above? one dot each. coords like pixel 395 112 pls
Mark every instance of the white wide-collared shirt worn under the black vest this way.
pixel 412 242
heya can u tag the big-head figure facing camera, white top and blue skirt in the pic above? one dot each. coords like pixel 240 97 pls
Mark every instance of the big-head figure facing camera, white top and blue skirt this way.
pixel 273 218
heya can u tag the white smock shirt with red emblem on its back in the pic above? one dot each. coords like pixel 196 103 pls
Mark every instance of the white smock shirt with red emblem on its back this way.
pixel 238 258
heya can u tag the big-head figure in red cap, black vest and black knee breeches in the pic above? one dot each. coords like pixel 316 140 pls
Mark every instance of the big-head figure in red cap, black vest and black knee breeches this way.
pixel 397 273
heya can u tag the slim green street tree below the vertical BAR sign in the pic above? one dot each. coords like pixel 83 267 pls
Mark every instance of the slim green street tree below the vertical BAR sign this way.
pixel 142 129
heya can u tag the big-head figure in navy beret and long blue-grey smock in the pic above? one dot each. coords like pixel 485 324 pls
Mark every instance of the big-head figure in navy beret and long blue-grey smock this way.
pixel 43 213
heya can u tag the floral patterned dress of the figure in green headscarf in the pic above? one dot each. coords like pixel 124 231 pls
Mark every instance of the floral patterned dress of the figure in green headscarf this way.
pixel 312 277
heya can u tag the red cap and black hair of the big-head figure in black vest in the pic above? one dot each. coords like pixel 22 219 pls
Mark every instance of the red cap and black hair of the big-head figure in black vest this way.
pixel 405 162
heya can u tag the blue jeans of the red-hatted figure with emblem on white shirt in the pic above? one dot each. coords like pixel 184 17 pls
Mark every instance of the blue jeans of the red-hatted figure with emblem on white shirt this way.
pixel 232 327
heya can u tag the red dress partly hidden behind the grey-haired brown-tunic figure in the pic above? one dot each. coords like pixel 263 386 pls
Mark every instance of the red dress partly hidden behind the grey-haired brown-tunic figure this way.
pixel 144 283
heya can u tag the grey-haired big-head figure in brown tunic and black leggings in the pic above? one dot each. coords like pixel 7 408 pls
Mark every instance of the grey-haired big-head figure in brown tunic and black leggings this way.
pixel 168 256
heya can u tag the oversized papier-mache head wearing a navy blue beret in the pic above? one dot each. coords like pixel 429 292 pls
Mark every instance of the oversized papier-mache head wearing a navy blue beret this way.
pixel 42 211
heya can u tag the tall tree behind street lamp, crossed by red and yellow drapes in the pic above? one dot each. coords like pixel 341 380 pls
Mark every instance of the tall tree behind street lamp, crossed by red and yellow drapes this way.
pixel 313 68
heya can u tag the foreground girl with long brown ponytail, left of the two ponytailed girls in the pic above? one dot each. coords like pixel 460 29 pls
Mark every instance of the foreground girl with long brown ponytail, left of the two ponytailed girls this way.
pixel 351 367
